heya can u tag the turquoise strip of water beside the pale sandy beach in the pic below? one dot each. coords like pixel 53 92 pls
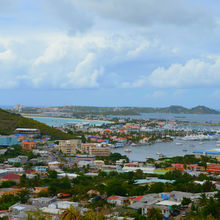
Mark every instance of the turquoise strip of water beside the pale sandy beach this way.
pixel 59 122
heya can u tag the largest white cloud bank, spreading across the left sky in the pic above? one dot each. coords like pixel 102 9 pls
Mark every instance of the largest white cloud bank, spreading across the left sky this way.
pixel 60 61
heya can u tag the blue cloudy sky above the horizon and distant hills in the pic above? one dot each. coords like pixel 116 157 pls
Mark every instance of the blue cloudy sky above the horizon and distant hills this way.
pixel 150 53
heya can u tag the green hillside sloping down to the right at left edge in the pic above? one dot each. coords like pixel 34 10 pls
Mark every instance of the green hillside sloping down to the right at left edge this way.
pixel 10 121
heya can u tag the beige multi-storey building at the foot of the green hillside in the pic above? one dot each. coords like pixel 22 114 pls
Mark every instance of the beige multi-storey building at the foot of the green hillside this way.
pixel 70 147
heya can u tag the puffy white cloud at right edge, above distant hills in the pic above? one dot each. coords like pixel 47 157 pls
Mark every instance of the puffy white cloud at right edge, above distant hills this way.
pixel 194 73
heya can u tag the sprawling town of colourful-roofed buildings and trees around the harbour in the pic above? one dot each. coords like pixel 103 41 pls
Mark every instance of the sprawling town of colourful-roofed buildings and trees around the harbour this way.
pixel 46 178
